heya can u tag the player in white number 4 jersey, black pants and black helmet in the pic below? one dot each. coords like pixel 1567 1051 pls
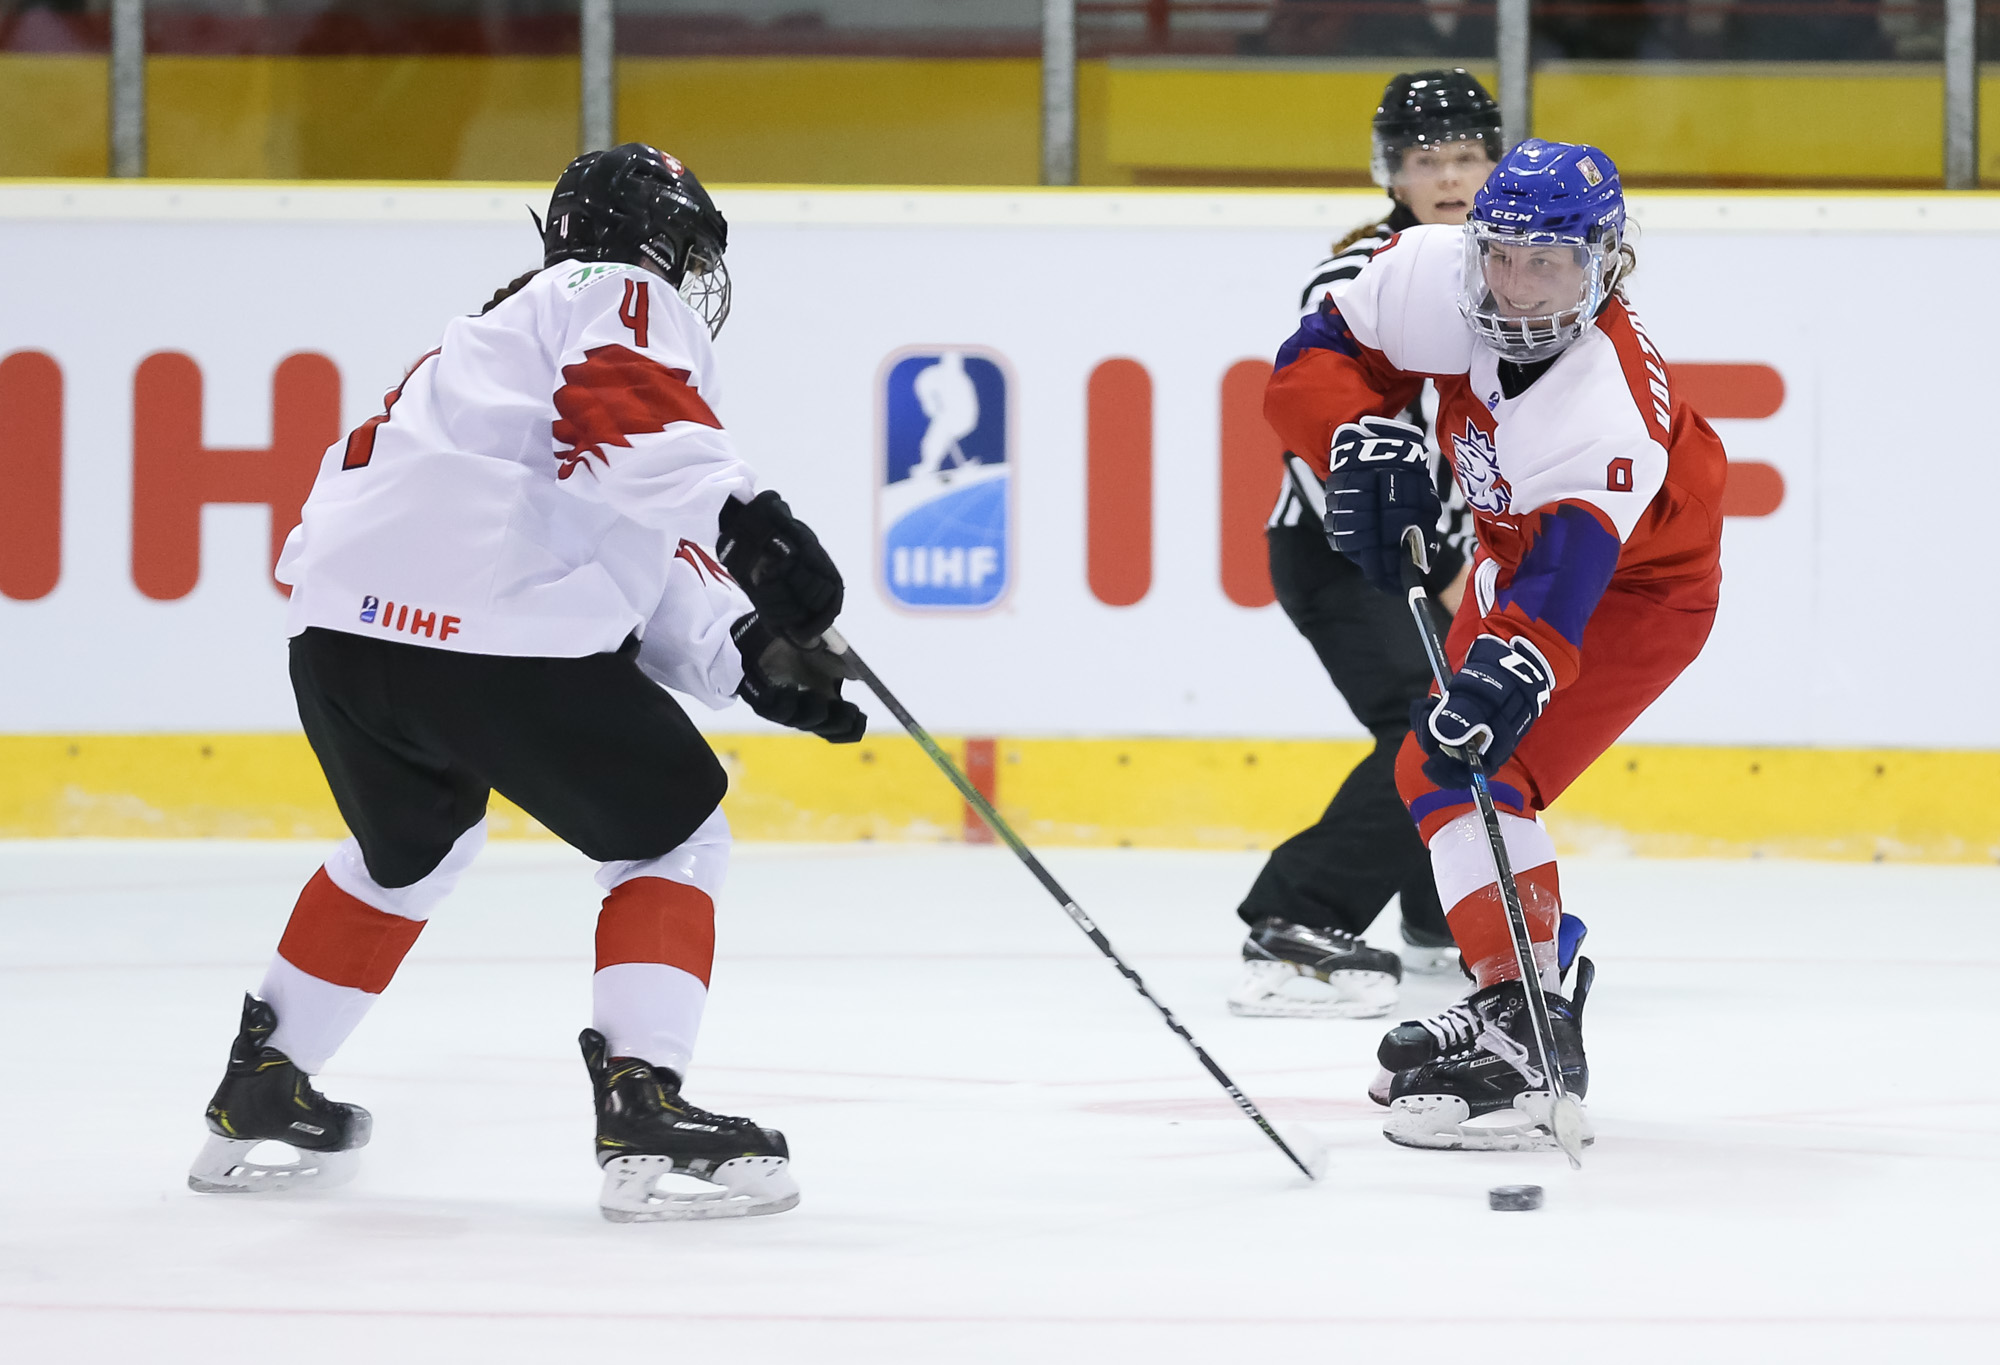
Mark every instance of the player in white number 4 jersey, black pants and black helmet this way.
pixel 491 587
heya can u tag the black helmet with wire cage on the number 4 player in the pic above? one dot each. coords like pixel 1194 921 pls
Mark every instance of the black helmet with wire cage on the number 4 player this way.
pixel 639 205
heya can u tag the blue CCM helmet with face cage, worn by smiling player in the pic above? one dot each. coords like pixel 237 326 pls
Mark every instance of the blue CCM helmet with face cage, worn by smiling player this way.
pixel 1543 249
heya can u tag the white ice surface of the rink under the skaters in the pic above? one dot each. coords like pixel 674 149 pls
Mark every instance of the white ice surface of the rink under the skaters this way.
pixel 1003 1154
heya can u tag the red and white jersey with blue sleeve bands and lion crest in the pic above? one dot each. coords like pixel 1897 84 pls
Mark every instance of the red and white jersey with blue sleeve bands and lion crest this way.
pixel 1593 475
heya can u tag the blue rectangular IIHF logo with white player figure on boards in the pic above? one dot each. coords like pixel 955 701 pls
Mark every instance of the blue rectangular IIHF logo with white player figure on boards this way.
pixel 945 501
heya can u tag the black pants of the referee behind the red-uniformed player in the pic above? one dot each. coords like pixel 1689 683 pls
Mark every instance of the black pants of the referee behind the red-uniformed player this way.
pixel 1365 848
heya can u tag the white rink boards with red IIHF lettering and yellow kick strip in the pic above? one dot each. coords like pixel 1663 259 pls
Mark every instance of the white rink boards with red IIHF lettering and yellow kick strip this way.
pixel 173 357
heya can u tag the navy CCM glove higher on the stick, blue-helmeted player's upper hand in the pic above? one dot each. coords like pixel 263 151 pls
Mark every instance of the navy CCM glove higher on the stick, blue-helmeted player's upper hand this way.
pixel 1377 487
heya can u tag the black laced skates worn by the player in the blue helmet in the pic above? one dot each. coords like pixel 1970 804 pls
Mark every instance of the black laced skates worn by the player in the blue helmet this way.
pixel 1495 1072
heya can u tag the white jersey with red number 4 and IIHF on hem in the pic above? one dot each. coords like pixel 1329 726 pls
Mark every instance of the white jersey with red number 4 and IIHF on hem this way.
pixel 545 483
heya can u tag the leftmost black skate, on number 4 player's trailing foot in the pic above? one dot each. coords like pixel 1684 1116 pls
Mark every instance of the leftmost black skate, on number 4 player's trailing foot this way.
pixel 267 1100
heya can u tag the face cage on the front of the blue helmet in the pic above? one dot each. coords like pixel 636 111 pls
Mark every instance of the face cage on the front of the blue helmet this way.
pixel 1529 295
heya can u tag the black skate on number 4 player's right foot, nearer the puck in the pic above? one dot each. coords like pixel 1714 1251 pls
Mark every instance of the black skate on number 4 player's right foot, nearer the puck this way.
pixel 649 1132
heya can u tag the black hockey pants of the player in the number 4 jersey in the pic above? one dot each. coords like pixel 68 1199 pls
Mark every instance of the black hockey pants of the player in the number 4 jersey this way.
pixel 413 740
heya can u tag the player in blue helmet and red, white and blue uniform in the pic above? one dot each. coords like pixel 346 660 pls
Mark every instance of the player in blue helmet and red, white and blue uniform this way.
pixel 1597 499
